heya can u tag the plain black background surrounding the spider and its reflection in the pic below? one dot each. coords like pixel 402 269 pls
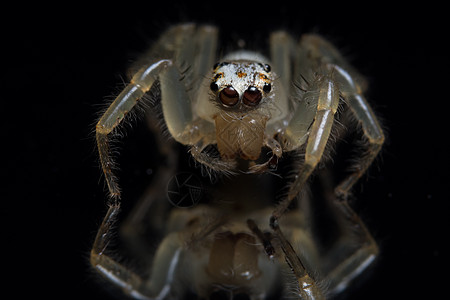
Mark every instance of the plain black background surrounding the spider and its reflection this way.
pixel 62 62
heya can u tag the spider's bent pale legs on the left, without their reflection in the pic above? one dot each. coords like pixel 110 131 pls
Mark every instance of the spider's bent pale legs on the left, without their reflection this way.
pixel 179 46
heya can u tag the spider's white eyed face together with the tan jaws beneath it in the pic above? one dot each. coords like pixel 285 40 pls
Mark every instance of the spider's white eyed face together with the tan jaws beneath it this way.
pixel 242 88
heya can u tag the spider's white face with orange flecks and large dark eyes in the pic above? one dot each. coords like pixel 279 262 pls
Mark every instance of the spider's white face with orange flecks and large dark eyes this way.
pixel 241 84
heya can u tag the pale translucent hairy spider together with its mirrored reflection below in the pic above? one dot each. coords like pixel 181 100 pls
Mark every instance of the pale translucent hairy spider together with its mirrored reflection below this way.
pixel 253 111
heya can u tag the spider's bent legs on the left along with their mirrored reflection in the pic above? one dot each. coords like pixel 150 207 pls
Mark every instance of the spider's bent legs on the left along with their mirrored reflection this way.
pixel 177 44
